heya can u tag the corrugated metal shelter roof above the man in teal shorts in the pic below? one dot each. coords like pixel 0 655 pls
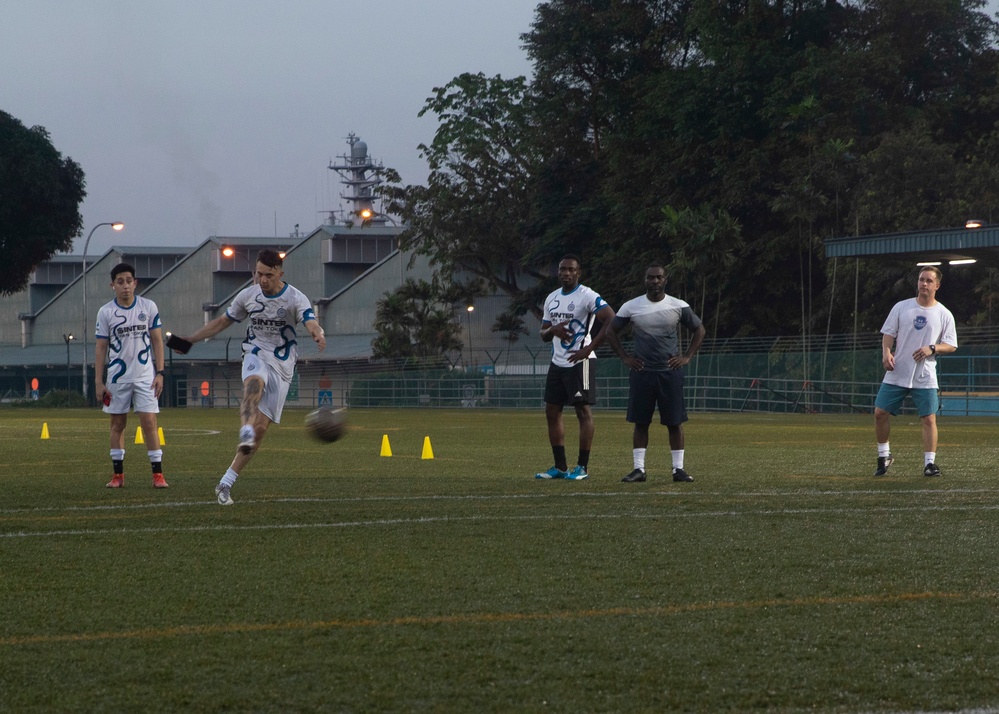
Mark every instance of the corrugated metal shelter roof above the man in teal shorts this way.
pixel 937 245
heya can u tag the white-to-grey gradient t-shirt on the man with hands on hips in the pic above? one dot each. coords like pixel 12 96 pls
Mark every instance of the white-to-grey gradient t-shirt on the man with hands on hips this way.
pixel 654 327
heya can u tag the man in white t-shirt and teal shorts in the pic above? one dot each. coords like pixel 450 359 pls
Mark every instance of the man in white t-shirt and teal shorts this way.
pixel 919 328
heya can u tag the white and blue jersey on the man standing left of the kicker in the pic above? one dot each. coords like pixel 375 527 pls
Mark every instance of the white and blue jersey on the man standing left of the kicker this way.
pixel 130 352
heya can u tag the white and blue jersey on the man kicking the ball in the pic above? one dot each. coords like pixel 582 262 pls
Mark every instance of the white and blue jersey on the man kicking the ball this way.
pixel 270 332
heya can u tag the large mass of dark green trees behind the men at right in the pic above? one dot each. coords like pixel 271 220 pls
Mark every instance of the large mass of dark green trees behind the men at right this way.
pixel 773 124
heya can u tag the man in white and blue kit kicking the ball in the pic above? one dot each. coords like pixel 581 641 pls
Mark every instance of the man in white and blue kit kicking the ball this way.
pixel 270 352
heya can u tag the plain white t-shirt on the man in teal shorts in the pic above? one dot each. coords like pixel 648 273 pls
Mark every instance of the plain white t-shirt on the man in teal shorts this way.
pixel 914 326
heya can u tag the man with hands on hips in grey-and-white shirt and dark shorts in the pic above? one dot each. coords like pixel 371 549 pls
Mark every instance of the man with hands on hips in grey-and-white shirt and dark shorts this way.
pixel 656 376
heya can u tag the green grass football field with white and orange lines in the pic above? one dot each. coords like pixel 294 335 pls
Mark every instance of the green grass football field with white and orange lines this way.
pixel 784 578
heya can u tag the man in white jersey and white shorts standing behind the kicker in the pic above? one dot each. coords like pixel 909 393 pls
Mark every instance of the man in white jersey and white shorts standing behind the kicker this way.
pixel 129 344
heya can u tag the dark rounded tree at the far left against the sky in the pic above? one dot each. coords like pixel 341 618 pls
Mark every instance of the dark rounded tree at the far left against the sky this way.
pixel 40 195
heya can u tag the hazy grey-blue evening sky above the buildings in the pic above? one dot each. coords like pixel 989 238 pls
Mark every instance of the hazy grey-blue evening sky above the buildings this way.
pixel 194 118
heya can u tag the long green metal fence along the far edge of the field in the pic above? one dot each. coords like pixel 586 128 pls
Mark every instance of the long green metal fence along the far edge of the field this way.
pixel 968 387
